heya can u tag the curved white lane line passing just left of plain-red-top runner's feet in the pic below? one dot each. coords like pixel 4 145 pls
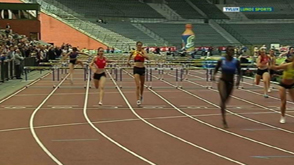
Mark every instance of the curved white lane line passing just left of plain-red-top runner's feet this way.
pixel 103 134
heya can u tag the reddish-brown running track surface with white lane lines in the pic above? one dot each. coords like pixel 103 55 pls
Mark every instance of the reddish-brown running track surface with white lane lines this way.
pixel 173 126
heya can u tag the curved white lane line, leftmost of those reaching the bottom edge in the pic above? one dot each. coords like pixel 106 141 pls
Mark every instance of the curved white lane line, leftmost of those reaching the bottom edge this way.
pixel 32 125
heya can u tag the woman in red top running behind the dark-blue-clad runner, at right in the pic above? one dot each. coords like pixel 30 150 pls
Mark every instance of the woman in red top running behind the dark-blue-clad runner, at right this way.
pixel 263 63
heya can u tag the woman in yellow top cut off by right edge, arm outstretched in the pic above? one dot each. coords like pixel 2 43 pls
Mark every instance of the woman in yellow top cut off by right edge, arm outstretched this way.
pixel 287 83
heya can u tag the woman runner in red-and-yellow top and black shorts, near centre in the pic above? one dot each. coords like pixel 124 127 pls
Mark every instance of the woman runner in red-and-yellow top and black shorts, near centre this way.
pixel 139 57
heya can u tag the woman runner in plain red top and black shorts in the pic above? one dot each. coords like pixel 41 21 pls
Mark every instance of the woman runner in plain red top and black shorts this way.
pixel 98 65
